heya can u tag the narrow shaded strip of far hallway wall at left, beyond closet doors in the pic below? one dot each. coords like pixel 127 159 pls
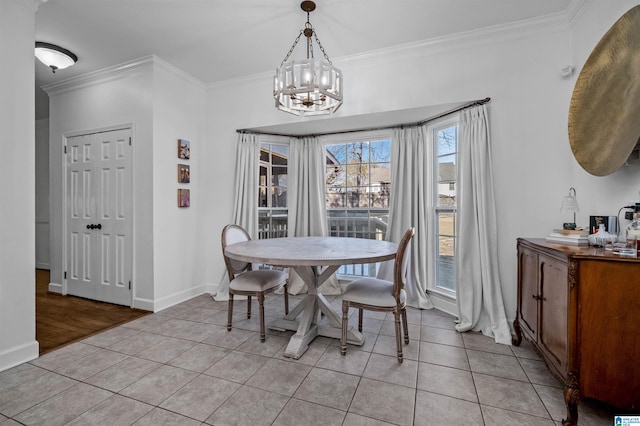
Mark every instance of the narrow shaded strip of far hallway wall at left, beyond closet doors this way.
pixel 42 193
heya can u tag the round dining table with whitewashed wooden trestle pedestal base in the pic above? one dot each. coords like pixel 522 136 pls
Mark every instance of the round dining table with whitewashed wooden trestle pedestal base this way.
pixel 315 259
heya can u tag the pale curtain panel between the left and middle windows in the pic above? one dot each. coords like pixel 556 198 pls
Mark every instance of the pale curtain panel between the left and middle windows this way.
pixel 307 202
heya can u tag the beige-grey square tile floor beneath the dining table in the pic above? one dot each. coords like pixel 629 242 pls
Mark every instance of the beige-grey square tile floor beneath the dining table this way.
pixel 181 367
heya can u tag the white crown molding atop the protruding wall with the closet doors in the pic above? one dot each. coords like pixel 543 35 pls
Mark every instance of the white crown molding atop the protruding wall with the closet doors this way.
pixel 114 73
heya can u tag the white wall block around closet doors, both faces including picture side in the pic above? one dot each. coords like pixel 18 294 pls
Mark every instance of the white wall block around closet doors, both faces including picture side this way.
pixel 164 105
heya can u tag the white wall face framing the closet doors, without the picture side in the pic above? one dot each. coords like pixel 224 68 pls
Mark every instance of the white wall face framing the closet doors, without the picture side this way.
pixel 119 96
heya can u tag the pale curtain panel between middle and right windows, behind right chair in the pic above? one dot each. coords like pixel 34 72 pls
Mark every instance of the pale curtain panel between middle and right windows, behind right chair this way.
pixel 411 194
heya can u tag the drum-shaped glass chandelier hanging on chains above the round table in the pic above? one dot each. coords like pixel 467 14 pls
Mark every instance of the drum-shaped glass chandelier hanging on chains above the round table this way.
pixel 308 86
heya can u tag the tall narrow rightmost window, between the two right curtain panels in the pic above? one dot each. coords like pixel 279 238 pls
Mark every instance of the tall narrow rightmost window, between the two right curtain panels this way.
pixel 445 139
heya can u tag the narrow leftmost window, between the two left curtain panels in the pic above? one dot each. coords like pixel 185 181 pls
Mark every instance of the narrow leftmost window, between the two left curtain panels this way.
pixel 272 192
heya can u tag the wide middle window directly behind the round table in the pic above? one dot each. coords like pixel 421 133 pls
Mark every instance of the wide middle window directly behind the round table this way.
pixel 358 179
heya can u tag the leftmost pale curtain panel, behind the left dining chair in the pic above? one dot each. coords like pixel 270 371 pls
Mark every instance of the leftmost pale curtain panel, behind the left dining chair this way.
pixel 245 209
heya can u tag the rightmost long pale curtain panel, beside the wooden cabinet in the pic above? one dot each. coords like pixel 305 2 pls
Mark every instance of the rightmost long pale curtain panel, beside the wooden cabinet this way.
pixel 479 292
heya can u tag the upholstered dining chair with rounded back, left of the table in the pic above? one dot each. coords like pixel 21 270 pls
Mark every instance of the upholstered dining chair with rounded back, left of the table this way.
pixel 247 282
